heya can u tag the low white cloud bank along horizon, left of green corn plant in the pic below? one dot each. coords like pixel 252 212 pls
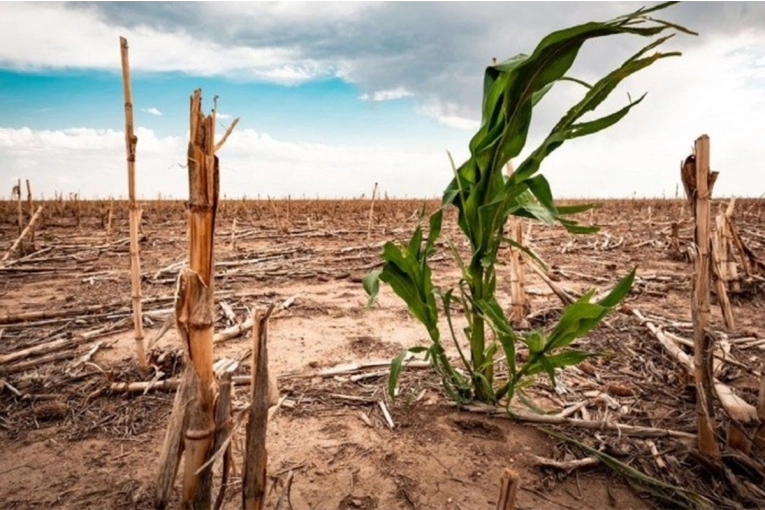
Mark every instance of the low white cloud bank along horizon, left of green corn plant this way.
pixel 252 163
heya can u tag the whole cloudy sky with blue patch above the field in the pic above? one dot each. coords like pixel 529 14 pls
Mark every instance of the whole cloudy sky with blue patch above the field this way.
pixel 332 100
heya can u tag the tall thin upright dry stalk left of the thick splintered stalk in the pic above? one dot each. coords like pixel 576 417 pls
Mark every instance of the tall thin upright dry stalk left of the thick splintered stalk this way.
pixel 135 260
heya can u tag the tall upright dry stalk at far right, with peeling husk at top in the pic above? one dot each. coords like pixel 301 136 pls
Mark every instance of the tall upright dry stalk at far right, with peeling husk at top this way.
pixel 700 302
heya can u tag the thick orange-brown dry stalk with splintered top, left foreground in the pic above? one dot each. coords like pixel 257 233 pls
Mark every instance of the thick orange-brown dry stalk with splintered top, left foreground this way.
pixel 194 308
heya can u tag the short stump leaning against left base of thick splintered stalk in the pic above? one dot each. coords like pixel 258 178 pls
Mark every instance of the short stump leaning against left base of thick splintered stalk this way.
pixel 172 448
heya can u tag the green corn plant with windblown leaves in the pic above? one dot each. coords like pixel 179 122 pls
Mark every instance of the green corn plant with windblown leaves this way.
pixel 484 198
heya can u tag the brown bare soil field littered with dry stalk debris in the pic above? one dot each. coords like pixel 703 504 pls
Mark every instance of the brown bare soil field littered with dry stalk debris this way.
pixel 69 441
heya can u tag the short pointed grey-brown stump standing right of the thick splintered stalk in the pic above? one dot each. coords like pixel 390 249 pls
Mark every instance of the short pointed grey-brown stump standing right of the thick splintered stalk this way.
pixel 254 478
